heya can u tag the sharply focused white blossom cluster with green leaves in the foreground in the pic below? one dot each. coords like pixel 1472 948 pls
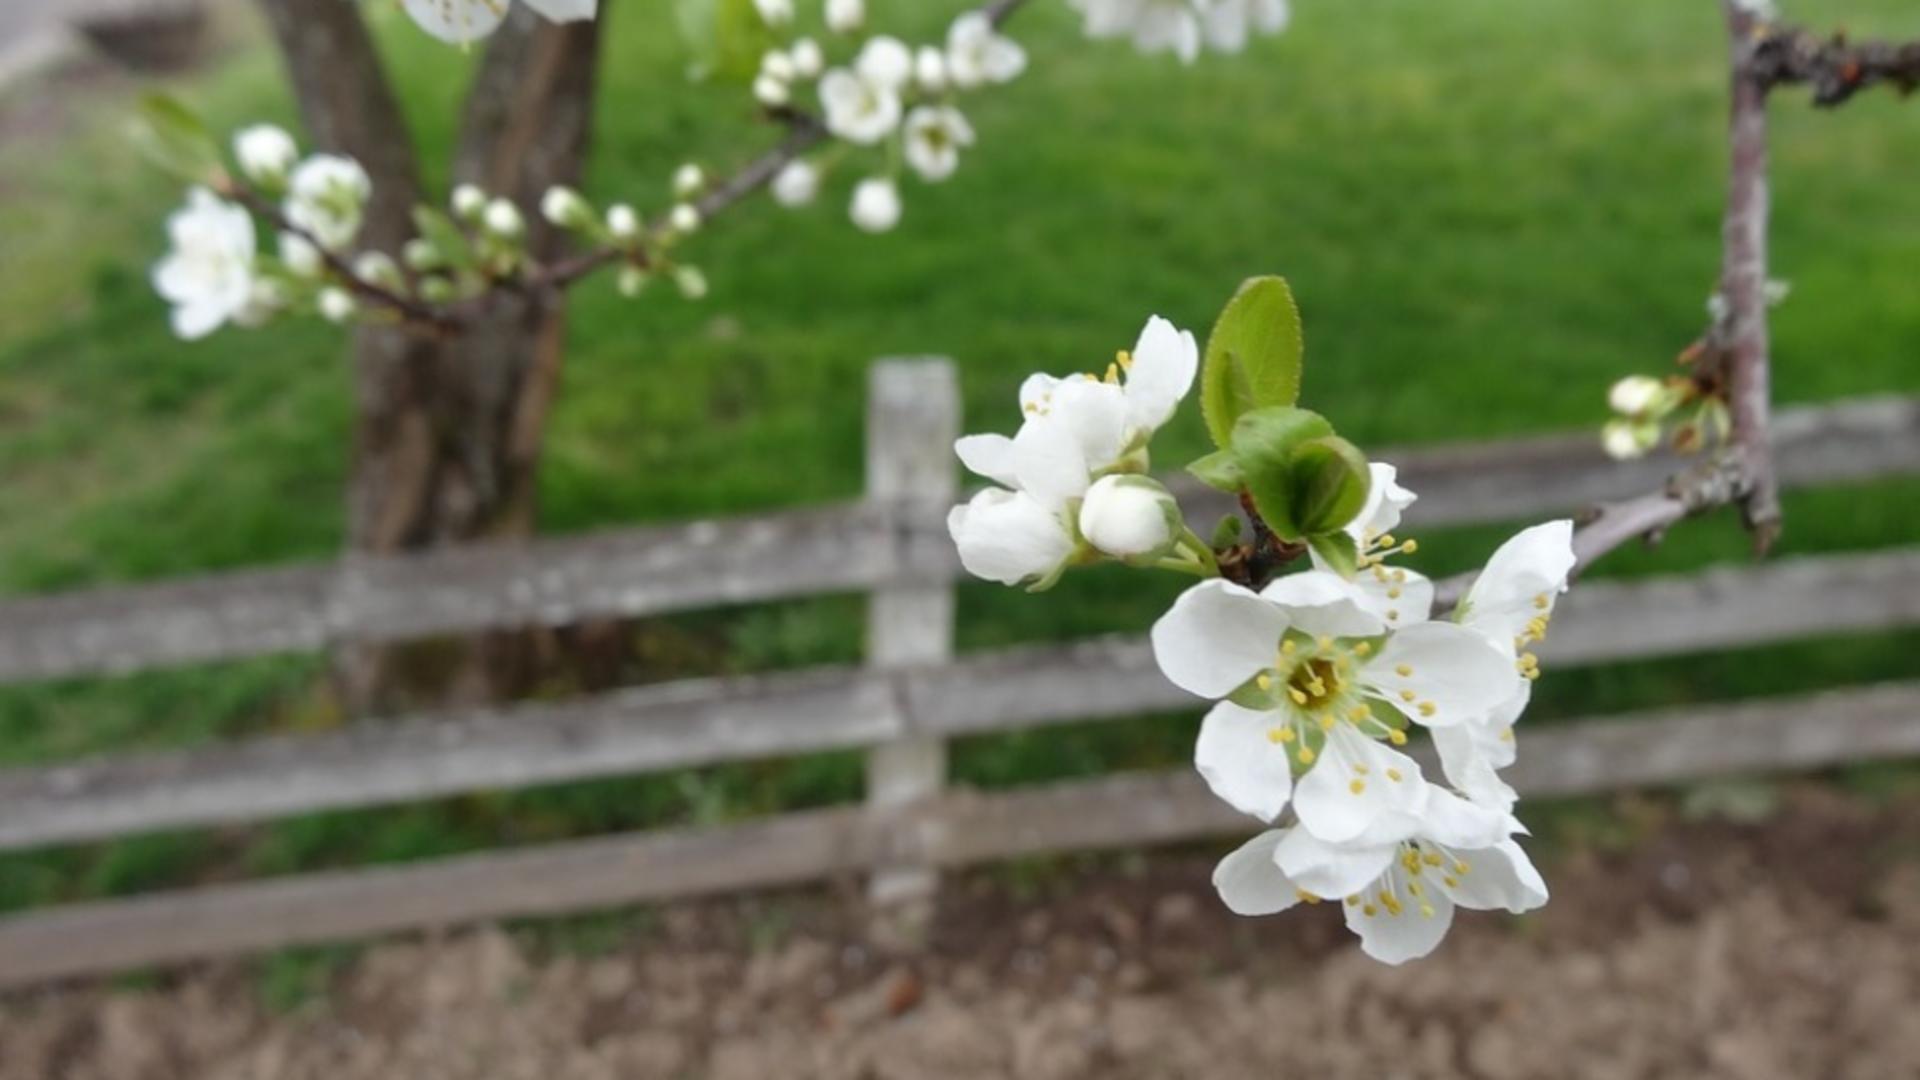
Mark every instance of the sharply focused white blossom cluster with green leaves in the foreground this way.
pixel 1322 675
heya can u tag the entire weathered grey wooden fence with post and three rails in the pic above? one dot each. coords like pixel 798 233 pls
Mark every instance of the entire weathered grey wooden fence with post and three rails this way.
pixel 901 706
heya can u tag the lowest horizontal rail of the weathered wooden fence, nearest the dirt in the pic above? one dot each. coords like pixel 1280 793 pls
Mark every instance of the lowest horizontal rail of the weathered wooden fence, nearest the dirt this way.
pixel 957 829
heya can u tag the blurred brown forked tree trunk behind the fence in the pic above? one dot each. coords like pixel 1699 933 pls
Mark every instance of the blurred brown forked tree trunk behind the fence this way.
pixel 448 428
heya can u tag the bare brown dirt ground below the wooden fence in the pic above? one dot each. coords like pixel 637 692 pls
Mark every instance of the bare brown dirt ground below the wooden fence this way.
pixel 1788 948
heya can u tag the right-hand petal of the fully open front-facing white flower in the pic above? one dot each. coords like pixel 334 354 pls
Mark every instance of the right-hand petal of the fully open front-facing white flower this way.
pixel 1451 668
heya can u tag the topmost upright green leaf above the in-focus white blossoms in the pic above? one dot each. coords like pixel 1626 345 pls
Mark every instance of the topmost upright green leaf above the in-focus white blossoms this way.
pixel 1253 356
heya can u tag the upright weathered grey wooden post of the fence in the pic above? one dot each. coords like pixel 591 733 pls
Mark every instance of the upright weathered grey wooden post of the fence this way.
pixel 911 426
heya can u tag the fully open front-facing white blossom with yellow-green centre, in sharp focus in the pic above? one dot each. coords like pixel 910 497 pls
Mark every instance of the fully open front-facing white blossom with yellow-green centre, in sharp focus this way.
pixel 1310 681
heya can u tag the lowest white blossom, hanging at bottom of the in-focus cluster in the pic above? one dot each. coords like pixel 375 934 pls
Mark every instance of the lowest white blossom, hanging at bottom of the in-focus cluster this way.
pixel 1399 885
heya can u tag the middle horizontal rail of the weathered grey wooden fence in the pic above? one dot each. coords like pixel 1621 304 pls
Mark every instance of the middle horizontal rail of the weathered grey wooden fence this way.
pixel 709 722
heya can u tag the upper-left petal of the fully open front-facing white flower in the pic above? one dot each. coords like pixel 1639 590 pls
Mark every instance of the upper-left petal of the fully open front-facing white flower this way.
pixel 1216 637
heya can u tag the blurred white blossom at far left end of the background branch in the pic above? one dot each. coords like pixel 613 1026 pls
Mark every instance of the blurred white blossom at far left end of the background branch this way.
pixel 208 274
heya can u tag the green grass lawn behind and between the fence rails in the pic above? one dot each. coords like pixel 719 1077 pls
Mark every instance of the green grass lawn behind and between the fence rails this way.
pixel 1489 212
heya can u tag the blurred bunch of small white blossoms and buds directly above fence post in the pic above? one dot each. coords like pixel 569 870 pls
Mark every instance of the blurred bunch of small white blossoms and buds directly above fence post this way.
pixel 890 97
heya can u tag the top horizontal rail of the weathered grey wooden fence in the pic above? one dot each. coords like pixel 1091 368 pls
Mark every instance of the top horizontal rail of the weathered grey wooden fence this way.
pixel 850 547
